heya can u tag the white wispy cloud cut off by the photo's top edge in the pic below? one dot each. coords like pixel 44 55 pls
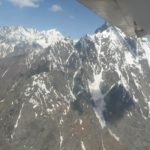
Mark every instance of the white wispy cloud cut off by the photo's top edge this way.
pixel 25 3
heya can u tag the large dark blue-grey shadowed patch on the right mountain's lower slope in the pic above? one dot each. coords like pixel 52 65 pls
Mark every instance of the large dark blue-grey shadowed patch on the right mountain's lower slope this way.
pixel 118 101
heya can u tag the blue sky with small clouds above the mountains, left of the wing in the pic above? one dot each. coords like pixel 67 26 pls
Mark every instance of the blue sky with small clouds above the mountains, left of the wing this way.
pixel 68 16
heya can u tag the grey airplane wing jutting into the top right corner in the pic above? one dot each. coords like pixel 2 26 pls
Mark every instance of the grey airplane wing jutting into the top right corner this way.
pixel 132 16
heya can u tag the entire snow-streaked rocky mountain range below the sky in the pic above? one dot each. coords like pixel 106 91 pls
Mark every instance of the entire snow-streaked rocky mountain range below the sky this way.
pixel 55 95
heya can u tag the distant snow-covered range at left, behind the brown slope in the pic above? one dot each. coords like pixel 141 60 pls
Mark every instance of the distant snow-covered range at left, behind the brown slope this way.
pixel 21 39
